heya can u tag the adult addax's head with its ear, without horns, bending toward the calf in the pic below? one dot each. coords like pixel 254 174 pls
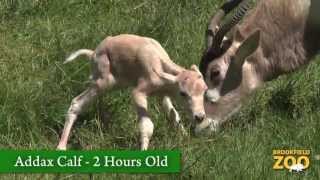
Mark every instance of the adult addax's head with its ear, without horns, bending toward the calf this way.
pixel 225 73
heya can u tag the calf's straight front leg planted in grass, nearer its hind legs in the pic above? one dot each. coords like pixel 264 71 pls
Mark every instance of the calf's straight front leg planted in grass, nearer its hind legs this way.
pixel 145 124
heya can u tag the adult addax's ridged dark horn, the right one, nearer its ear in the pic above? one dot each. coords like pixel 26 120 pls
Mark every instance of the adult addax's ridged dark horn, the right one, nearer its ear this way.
pixel 227 26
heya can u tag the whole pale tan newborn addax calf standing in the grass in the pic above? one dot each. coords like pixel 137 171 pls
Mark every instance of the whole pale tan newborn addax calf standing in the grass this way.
pixel 141 62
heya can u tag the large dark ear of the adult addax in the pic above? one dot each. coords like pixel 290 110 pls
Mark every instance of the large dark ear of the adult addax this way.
pixel 248 47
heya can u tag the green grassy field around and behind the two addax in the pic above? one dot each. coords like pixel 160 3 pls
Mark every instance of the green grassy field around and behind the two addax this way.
pixel 36 90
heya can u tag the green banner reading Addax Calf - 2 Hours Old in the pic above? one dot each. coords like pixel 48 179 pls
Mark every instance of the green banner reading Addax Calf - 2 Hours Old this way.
pixel 35 161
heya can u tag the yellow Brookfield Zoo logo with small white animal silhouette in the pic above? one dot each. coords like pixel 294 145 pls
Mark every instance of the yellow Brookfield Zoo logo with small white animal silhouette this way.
pixel 292 160
